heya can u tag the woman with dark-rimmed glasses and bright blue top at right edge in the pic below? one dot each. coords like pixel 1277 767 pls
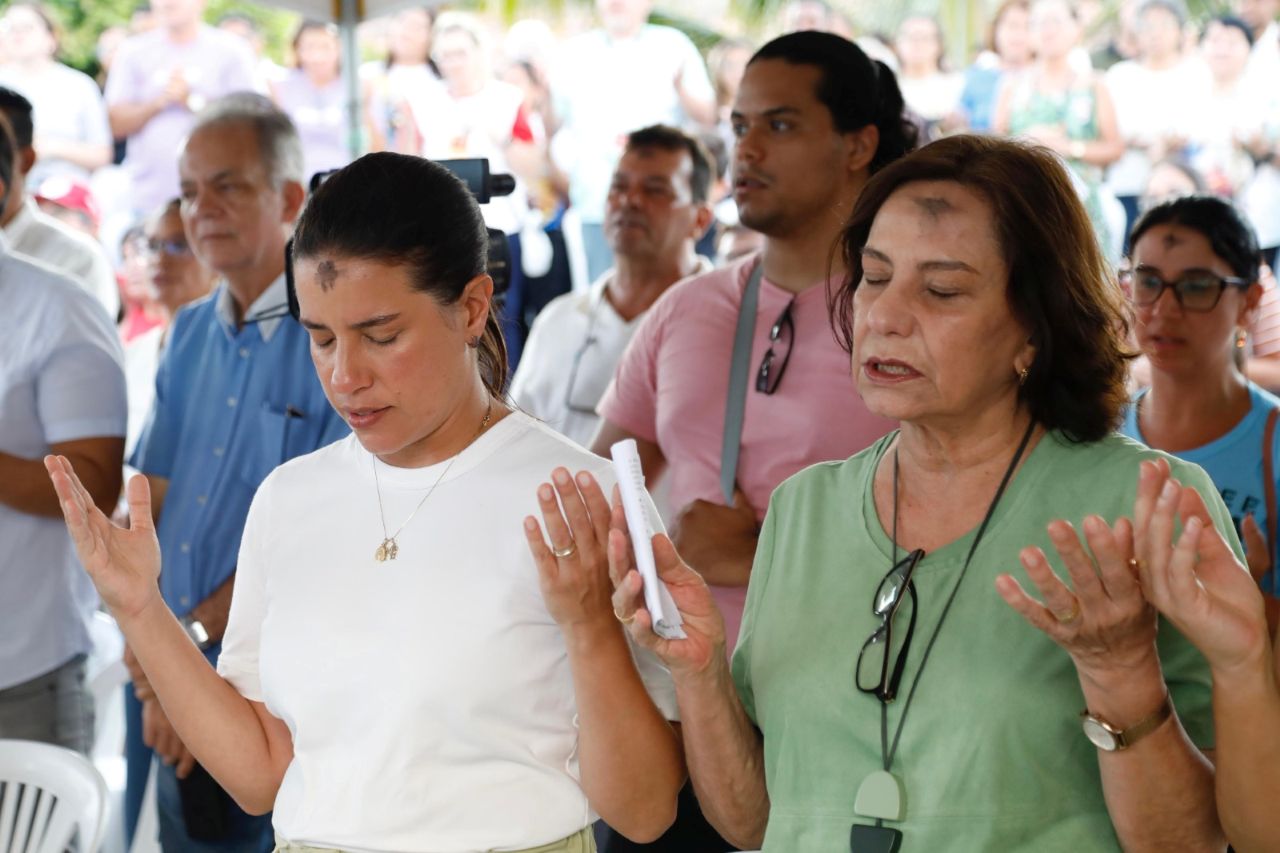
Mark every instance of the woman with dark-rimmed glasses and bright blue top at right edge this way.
pixel 1194 281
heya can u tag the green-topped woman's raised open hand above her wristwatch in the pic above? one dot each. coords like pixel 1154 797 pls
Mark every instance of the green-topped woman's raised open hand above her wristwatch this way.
pixel 1103 621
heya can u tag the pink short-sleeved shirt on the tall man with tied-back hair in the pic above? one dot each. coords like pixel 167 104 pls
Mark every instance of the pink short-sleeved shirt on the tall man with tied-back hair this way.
pixel 673 384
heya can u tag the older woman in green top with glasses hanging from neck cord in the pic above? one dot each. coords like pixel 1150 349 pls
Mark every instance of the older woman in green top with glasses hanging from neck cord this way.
pixel 883 696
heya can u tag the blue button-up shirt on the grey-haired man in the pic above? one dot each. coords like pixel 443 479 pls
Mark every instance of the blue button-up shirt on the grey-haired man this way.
pixel 231 405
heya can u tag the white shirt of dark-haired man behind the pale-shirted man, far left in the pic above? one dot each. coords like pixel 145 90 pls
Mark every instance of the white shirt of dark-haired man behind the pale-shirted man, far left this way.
pixel 79 257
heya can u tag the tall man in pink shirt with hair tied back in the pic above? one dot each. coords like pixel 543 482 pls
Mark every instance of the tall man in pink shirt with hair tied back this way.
pixel 813 118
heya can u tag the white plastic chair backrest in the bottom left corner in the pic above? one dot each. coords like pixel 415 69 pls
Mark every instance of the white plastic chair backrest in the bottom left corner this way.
pixel 47 793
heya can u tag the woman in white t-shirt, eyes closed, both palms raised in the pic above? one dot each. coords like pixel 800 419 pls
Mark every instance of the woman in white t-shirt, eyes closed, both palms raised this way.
pixel 409 664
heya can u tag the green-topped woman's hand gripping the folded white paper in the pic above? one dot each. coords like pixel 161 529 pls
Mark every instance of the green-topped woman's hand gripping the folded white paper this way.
pixel 705 627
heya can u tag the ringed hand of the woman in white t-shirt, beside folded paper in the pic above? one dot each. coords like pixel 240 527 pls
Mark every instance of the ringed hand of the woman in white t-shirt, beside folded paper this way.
pixel 573 567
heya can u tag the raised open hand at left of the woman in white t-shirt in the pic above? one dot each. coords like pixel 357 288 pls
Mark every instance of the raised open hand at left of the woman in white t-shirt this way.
pixel 124 563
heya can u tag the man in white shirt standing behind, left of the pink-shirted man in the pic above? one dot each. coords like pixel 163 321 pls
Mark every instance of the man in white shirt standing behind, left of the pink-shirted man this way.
pixel 656 211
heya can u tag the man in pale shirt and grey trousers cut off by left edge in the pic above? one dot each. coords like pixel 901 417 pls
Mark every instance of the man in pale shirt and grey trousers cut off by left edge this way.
pixel 62 391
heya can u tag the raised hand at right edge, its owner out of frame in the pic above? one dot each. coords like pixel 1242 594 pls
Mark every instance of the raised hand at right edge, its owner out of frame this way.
pixel 1199 583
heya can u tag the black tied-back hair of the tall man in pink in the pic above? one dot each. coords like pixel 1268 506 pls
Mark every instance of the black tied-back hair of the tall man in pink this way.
pixel 858 90
